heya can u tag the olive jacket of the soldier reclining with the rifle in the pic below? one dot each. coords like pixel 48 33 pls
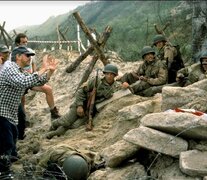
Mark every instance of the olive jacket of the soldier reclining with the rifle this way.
pixel 103 91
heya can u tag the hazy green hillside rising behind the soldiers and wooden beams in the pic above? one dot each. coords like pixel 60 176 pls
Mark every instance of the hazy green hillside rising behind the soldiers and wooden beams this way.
pixel 132 23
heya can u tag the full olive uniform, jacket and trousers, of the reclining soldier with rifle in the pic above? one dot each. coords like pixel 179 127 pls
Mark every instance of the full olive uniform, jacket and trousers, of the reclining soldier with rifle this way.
pixel 71 119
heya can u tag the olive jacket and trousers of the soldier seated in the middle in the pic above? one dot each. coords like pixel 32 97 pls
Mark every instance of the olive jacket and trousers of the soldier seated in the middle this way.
pixel 155 72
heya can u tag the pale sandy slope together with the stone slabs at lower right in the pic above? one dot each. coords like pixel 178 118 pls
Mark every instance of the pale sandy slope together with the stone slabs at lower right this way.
pixel 116 122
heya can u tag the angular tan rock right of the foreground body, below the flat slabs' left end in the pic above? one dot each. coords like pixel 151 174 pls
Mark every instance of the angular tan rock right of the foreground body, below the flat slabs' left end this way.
pixel 115 154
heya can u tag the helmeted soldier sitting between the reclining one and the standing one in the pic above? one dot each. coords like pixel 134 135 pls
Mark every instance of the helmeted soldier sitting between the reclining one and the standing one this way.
pixel 152 72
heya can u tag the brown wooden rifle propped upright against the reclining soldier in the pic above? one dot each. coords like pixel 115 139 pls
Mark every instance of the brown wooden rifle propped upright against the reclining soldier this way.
pixel 91 103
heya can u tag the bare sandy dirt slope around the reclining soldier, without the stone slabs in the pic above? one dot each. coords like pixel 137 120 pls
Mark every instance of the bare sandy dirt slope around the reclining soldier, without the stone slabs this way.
pixel 107 129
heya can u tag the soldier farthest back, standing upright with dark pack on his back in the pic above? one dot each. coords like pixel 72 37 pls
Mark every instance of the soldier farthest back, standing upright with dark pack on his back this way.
pixel 170 55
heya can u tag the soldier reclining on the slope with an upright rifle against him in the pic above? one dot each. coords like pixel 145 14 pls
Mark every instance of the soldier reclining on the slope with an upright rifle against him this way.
pixel 77 115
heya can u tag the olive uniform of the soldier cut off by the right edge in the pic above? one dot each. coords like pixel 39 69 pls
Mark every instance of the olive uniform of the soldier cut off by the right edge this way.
pixel 192 74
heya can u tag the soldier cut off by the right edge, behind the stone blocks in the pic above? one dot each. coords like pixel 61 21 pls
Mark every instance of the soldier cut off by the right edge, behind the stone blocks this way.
pixel 193 73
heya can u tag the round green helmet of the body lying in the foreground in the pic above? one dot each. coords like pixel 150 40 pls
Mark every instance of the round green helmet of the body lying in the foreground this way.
pixel 76 167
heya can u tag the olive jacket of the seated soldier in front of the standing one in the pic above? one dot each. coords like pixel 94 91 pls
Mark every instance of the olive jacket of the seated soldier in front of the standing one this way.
pixel 156 72
